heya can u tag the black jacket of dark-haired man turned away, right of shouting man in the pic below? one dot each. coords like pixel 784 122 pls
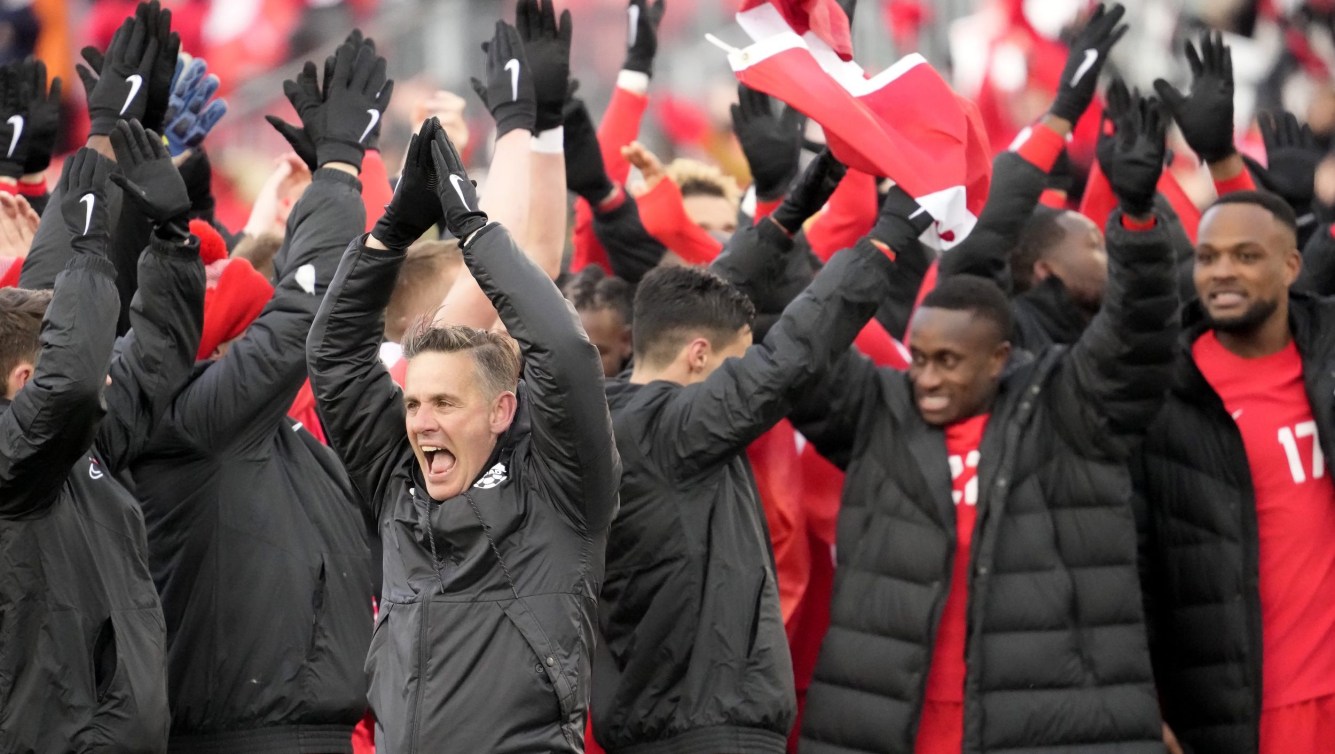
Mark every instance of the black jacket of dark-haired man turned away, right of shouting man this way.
pixel 691 607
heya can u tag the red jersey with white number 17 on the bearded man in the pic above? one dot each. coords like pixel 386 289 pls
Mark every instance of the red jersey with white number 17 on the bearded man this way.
pixel 1296 516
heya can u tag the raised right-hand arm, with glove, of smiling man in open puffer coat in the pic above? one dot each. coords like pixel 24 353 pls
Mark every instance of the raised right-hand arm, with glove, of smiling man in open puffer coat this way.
pixel 1114 378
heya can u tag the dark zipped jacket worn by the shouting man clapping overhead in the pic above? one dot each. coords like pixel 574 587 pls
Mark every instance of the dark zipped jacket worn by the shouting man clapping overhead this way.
pixel 487 624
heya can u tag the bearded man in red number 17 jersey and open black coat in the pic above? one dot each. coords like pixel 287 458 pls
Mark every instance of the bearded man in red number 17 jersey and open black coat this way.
pixel 1241 567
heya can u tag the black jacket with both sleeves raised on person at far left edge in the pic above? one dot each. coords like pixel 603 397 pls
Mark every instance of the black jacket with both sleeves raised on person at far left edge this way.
pixel 82 633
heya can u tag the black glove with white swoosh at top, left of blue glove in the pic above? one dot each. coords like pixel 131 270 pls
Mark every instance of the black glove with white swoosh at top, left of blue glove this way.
pixel 122 91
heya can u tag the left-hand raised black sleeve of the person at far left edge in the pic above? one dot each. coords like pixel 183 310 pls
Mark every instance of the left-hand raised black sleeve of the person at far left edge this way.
pixel 53 420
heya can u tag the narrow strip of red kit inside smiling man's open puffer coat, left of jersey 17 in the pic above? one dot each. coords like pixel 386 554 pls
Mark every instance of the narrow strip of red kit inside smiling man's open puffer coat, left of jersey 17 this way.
pixel 942 727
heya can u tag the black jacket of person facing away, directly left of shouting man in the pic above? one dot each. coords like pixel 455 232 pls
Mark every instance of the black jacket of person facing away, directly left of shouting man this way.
pixel 257 540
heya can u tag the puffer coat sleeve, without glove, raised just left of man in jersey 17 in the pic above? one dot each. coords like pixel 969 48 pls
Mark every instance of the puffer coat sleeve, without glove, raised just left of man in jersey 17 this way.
pixel 1114 380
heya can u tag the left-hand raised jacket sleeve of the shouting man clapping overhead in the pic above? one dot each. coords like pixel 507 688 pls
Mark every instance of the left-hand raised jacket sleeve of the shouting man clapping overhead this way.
pixel 360 406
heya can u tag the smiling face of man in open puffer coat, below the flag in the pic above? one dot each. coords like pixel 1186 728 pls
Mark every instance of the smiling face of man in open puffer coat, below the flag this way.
pixel 958 362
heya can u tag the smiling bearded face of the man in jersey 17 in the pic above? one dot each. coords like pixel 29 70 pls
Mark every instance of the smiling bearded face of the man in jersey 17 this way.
pixel 1246 261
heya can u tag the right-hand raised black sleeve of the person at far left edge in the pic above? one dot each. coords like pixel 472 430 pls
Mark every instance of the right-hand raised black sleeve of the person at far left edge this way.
pixel 154 360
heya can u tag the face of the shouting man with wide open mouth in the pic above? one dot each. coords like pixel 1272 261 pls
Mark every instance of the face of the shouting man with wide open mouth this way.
pixel 452 422
